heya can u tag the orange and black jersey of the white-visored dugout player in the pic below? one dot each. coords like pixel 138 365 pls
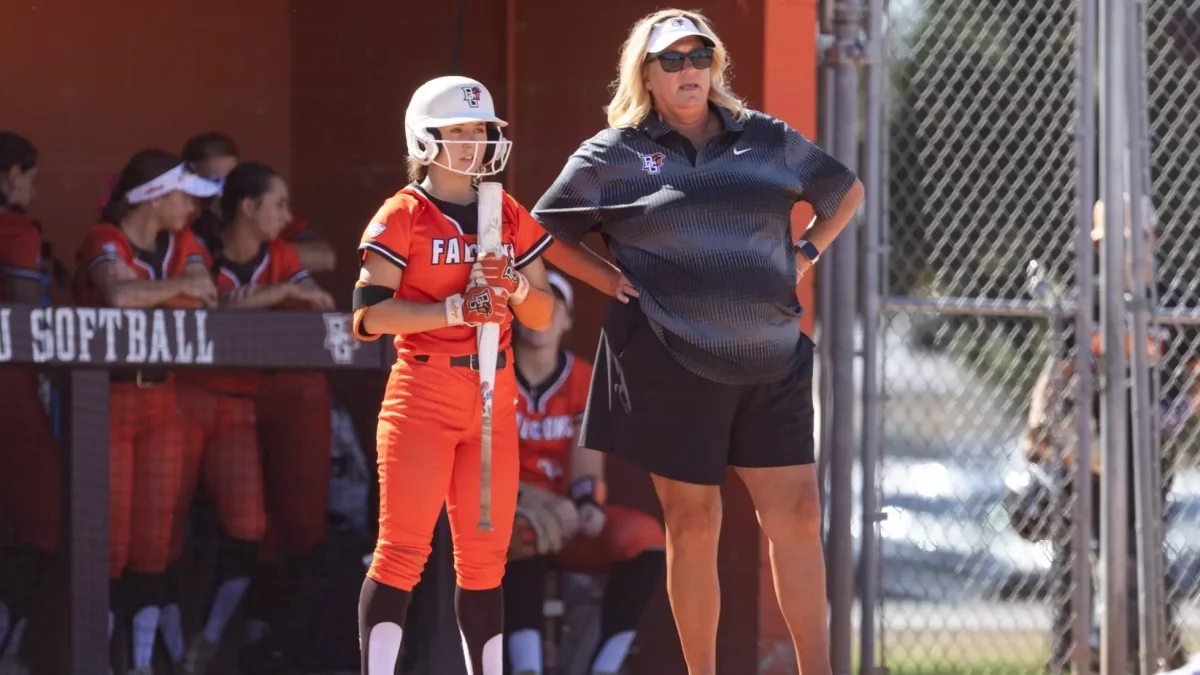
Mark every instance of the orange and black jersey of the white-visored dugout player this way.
pixel 105 242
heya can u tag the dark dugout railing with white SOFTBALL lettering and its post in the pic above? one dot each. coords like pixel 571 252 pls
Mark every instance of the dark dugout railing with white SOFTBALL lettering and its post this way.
pixel 79 348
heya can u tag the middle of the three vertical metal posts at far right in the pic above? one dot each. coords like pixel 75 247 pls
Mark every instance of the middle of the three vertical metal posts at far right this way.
pixel 1115 410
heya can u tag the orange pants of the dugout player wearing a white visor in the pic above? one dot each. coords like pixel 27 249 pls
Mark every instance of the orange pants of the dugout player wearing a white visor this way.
pixel 145 476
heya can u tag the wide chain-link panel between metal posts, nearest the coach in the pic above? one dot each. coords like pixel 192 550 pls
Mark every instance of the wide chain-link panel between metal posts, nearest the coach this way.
pixel 982 222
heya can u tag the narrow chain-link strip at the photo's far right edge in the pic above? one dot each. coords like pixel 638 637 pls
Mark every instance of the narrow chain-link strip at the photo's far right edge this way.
pixel 1173 85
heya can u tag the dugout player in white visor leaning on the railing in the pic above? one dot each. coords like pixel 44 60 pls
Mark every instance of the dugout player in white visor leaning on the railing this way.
pixel 143 255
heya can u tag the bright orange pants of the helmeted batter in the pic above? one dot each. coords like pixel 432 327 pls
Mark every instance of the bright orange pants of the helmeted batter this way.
pixel 429 446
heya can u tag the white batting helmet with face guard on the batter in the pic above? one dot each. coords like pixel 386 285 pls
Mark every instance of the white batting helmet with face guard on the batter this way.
pixel 448 101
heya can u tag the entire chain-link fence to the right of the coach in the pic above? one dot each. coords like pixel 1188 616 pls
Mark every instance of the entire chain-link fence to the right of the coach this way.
pixel 991 171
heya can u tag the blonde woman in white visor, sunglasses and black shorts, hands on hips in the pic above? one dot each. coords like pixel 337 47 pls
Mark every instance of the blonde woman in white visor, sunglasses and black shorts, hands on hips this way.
pixel 693 194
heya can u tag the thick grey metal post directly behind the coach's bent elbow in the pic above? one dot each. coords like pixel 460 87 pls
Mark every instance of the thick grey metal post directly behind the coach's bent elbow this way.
pixel 848 23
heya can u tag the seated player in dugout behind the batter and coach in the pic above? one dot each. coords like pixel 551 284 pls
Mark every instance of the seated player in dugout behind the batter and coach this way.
pixel 562 516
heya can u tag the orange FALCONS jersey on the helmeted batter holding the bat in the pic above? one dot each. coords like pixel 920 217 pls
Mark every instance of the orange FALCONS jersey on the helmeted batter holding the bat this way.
pixel 436 256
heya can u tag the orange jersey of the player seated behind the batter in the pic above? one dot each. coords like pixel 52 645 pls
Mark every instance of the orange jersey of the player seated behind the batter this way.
pixel 549 421
